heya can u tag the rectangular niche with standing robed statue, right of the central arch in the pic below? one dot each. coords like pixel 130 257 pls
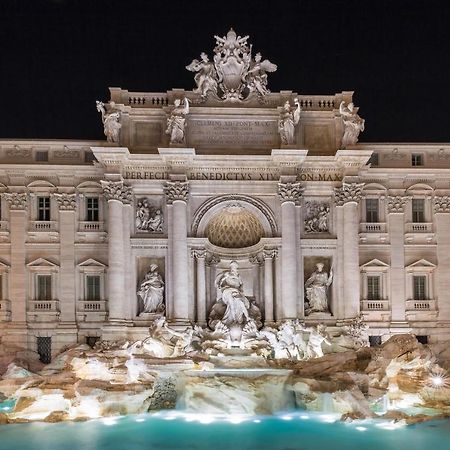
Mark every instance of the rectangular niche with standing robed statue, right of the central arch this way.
pixel 318 275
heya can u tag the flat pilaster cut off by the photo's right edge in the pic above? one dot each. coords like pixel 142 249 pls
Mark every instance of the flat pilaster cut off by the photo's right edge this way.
pixel 442 216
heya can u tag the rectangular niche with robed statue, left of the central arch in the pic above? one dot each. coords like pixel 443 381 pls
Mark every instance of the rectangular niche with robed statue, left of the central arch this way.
pixel 150 289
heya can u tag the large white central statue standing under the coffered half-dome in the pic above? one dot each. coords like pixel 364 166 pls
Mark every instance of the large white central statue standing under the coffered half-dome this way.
pixel 233 308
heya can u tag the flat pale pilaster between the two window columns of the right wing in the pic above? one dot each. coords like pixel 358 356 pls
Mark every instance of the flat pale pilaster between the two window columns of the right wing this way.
pixel 396 221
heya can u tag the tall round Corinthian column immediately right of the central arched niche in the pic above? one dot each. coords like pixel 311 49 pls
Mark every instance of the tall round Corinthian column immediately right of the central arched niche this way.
pixel 289 194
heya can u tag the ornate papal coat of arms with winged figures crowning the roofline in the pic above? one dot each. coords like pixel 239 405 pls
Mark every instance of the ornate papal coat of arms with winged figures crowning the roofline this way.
pixel 234 74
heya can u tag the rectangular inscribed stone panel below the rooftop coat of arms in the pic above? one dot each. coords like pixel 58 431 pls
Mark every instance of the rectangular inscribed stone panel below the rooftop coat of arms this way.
pixel 232 133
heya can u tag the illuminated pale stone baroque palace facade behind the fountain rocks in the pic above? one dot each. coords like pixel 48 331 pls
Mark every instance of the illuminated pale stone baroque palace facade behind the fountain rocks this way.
pixel 99 238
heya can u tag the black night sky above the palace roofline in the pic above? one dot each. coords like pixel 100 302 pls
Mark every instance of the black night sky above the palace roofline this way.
pixel 58 57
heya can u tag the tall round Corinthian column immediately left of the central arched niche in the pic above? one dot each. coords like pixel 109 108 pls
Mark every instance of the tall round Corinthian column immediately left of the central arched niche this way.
pixel 177 195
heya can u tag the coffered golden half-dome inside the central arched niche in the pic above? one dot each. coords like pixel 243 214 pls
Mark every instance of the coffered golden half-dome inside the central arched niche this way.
pixel 234 227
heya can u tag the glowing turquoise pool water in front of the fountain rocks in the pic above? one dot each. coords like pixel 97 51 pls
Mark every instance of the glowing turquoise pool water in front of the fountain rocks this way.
pixel 169 431
